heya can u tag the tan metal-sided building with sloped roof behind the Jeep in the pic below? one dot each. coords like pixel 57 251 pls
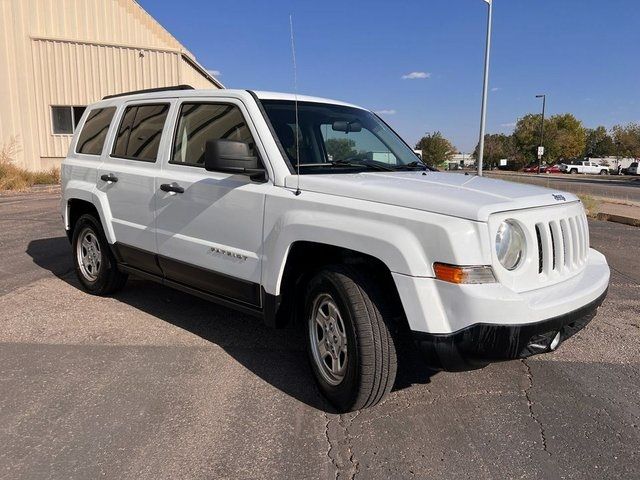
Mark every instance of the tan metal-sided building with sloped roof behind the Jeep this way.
pixel 60 54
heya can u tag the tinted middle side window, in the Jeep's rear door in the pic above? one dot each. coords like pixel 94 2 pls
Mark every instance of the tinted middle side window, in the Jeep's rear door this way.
pixel 140 132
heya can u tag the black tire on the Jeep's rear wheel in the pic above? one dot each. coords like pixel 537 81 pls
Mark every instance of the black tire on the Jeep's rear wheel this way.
pixel 104 279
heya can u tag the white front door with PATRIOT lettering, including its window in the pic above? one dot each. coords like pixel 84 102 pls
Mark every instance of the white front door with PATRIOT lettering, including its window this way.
pixel 209 224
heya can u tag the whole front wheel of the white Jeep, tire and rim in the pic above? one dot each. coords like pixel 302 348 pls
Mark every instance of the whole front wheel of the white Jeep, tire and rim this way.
pixel 349 339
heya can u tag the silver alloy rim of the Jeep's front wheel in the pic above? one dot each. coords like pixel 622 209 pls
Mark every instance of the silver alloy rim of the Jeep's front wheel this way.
pixel 328 337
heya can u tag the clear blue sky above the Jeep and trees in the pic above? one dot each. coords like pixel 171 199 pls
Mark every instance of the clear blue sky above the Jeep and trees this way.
pixel 584 54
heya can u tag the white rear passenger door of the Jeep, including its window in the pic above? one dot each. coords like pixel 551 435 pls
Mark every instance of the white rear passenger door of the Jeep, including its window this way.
pixel 127 177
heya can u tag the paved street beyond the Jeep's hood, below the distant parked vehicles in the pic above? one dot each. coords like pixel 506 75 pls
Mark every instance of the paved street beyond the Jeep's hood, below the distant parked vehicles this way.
pixel 625 188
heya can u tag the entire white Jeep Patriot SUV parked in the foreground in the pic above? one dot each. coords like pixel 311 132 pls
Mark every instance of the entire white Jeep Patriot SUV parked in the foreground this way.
pixel 280 206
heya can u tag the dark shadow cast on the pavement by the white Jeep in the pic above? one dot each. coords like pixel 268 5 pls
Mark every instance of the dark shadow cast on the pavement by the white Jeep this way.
pixel 276 356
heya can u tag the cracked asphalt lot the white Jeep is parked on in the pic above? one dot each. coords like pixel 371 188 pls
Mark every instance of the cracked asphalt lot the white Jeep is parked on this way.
pixel 153 383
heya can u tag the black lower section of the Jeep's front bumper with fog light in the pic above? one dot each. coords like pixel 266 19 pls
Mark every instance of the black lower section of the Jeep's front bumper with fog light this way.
pixel 480 344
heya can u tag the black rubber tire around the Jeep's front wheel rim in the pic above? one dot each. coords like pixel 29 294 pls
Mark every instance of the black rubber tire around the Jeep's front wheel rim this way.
pixel 371 363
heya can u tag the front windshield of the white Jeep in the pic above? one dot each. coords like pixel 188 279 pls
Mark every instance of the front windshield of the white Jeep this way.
pixel 337 139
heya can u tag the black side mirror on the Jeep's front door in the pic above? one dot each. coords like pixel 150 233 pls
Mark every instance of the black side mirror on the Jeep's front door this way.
pixel 231 156
